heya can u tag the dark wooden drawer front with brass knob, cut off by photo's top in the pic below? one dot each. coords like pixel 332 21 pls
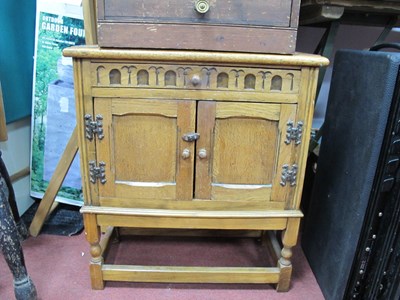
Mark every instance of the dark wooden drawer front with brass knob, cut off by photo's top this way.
pixel 256 12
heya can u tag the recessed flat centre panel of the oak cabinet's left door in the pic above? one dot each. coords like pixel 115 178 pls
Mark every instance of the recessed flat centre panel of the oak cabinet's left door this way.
pixel 144 147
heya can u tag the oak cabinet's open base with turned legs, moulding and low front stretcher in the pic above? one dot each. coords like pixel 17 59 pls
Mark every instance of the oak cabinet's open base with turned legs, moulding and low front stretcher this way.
pixel 97 217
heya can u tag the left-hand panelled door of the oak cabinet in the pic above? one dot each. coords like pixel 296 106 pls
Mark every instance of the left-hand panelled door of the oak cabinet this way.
pixel 142 148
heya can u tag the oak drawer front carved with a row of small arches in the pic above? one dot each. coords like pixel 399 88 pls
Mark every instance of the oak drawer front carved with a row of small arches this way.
pixel 196 77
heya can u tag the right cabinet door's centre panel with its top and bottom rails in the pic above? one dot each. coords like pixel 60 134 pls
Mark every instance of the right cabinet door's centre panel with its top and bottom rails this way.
pixel 241 147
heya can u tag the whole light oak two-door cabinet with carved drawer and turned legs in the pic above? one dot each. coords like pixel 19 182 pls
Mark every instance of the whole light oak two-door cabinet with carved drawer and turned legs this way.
pixel 193 140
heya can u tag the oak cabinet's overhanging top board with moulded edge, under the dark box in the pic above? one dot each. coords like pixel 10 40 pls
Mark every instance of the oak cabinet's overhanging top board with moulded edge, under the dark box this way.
pixel 297 59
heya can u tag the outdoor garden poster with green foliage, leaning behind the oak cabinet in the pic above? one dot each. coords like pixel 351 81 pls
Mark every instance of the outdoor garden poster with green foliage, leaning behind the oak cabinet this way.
pixel 59 24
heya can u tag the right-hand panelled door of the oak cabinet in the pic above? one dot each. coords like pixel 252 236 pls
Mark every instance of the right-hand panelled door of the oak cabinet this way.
pixel 241 150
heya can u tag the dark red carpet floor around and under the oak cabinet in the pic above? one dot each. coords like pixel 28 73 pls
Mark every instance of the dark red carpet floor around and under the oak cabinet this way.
pixel 58 266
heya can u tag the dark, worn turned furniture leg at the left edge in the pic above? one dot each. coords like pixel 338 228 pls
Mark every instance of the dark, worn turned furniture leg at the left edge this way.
pixel 10 245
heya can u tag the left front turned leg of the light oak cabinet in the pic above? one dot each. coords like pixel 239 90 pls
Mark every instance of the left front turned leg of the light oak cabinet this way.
pixel 92 231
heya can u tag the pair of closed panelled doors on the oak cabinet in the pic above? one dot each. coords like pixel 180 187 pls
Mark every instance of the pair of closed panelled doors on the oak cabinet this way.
pixel 180 150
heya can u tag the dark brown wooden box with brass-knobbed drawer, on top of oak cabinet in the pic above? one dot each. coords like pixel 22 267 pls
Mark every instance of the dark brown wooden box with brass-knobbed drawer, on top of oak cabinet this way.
pixel 228 25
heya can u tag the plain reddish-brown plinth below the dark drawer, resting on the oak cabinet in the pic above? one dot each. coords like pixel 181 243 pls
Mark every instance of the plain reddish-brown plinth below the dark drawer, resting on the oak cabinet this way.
pixel 195 37
